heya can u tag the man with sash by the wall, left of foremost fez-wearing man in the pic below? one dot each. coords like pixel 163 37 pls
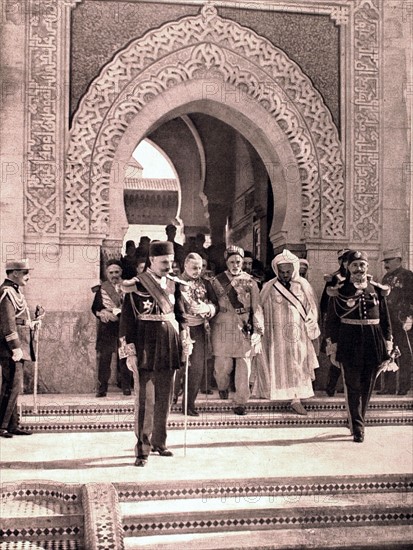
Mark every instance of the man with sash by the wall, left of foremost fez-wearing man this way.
pixel 106 307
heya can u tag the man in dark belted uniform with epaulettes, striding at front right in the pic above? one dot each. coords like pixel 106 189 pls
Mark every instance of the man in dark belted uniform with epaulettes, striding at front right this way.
pixel 359 335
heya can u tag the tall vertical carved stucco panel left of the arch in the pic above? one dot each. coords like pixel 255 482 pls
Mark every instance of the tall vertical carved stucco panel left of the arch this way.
pixel 42 89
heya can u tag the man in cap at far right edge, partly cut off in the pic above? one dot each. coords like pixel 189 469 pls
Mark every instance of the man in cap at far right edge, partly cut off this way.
pixel 400 303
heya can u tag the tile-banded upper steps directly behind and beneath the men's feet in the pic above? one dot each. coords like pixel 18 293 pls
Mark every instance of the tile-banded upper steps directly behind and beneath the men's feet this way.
pixel 117 413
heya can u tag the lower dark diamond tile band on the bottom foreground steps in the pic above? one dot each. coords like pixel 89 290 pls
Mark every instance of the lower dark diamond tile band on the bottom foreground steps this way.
pixel 279 521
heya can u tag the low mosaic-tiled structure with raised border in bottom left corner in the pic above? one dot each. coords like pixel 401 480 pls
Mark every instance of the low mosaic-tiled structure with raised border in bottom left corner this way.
pixel 52 515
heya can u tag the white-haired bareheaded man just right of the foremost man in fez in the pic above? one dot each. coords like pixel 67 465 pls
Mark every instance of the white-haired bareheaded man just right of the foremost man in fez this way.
pixel 200 305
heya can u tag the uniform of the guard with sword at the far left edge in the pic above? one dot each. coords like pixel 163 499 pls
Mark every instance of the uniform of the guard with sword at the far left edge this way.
pixel 15 332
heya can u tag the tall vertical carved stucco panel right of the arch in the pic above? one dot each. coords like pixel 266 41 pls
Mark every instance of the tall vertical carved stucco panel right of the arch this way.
pixel 366 197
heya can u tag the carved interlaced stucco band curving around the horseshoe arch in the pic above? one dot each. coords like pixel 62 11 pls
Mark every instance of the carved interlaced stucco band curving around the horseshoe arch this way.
pixel 190 48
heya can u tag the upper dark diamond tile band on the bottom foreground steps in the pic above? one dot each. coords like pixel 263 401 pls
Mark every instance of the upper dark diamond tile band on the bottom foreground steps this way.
pixel 261 488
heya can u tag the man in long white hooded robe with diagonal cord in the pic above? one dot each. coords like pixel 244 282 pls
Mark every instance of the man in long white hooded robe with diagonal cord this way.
pixel 288 359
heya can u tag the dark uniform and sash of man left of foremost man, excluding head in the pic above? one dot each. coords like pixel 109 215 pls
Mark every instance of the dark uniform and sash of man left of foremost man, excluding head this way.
pixel 107 297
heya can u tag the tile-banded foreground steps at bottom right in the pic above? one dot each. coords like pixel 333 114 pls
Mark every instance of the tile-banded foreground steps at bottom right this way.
pixel 347 512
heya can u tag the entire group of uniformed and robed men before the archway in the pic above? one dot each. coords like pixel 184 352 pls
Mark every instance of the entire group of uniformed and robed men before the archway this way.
pixel 176 318
